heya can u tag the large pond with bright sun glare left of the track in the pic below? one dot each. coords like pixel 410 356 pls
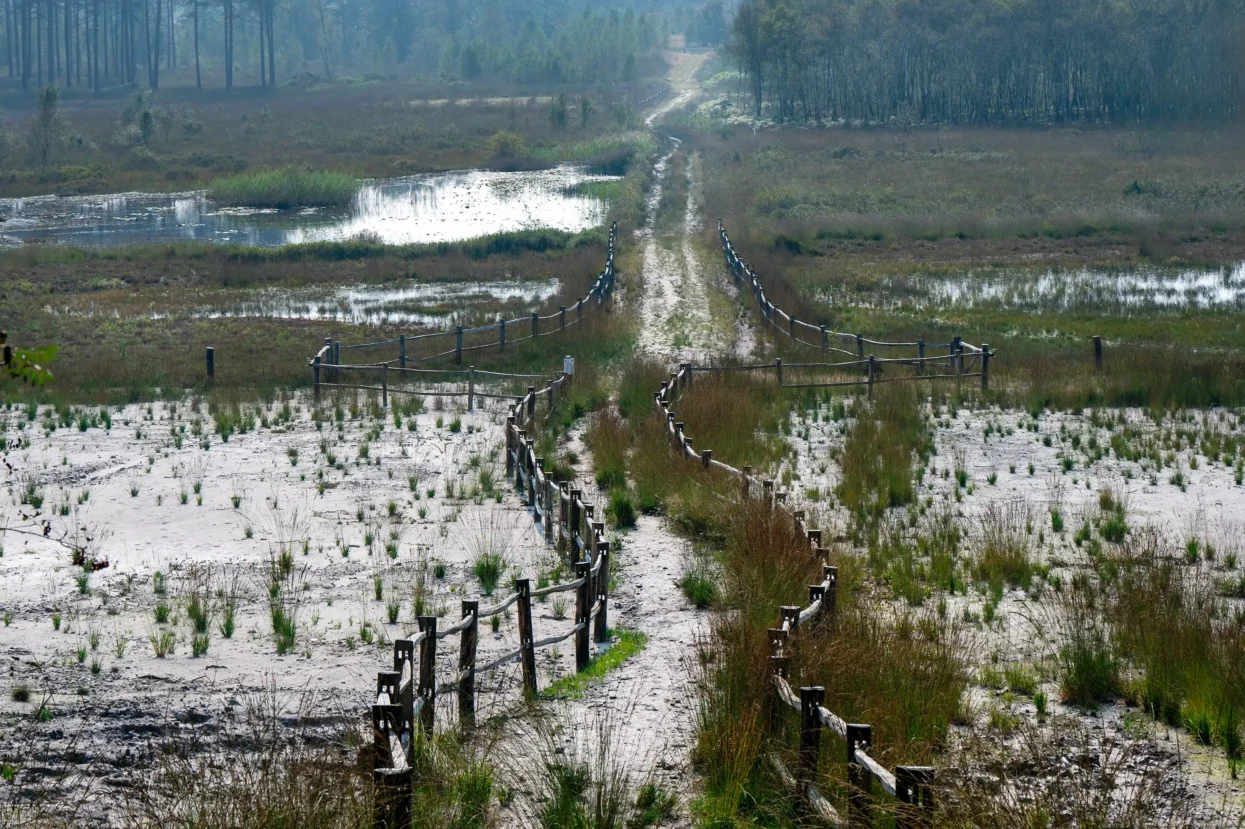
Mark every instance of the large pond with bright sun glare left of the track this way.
pixel 445 207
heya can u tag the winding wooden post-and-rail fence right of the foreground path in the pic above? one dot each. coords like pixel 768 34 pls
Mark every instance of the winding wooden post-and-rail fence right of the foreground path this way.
pixel 909 785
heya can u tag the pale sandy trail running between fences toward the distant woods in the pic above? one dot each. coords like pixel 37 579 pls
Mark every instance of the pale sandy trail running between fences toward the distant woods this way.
pixel 685 314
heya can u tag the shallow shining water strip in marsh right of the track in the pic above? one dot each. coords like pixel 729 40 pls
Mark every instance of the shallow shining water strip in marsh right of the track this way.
pixel 1097 291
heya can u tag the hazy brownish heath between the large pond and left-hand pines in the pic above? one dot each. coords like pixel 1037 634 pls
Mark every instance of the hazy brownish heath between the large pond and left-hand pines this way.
pixel 373 130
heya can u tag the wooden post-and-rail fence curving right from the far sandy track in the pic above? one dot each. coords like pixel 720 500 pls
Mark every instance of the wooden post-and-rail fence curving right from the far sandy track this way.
pixel 961 355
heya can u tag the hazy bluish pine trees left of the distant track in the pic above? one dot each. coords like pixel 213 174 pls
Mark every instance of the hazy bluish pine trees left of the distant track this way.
pixel 101 44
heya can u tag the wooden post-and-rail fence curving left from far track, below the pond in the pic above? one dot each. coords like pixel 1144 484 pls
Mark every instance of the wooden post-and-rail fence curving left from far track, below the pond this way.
pixel 329 358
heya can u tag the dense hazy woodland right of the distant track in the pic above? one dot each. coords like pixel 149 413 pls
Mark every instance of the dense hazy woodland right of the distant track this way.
pixel 985 62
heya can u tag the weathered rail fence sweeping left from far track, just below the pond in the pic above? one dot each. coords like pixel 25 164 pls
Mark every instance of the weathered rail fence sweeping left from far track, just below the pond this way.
pixel 328 368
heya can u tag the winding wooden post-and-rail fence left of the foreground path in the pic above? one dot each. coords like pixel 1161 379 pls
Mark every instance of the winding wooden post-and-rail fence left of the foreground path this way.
pixel 406 696
